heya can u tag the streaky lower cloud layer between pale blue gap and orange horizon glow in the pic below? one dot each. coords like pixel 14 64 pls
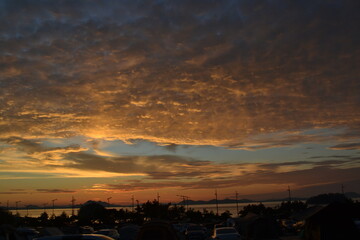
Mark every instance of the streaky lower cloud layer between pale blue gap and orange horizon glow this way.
pixel 171 171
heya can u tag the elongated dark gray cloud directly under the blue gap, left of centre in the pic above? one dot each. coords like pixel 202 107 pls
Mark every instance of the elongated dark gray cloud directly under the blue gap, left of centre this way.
pixel 155 167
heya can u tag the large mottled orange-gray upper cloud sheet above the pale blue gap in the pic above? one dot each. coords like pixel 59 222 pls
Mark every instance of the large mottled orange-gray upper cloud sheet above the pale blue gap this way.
pixel 177 72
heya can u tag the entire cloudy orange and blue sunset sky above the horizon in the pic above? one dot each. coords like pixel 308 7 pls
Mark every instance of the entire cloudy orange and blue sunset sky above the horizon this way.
pixel 123 99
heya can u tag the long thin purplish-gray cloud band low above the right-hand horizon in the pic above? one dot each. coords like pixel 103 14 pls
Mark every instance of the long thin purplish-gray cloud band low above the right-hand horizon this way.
pixel 298 179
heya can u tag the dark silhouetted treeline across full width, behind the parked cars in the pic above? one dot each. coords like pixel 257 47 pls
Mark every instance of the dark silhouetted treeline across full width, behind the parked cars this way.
pixel 94 213
